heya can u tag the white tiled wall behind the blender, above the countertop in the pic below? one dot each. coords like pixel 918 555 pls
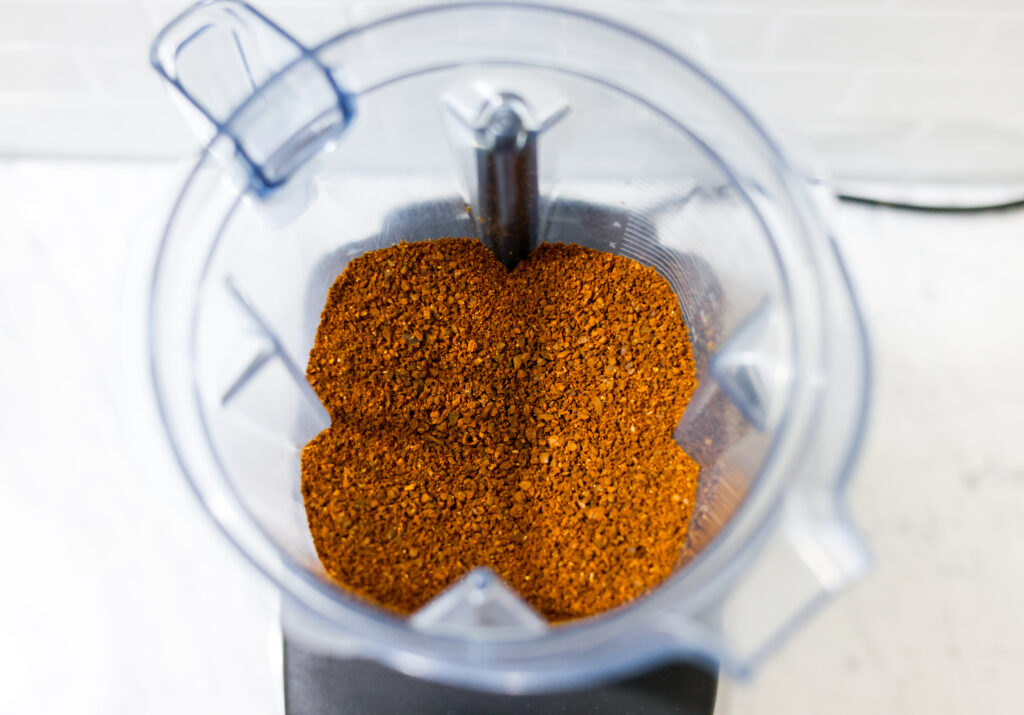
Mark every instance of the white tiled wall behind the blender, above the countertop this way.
pixel 75 78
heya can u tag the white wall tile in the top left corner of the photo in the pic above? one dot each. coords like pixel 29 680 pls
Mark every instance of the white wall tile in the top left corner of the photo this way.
pixel 64 25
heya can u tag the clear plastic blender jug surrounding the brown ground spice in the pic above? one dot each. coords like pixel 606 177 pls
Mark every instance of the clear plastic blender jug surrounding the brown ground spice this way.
pixel 518 124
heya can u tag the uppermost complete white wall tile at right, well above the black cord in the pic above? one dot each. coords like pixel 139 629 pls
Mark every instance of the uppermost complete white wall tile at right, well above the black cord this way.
pixel 892 41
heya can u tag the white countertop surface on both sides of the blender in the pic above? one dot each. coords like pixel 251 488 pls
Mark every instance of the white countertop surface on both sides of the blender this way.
pixel 121 598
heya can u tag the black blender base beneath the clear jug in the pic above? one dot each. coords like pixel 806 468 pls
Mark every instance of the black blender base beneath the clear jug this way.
pixel 316 685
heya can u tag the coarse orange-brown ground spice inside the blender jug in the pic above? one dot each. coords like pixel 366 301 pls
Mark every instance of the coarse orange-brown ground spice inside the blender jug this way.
pixel 521 420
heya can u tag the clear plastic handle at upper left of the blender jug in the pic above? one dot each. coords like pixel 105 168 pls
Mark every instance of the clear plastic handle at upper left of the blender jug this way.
pixel 221 56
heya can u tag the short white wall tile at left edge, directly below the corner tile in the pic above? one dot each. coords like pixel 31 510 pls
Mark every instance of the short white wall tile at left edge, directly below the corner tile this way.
pixel 28 73
